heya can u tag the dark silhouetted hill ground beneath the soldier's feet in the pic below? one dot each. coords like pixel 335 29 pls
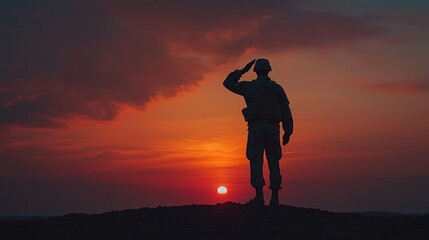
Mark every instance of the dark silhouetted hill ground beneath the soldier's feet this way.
pixel 221 221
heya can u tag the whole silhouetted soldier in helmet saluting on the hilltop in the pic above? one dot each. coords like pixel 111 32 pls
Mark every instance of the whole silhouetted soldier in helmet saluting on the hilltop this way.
pixel 267 106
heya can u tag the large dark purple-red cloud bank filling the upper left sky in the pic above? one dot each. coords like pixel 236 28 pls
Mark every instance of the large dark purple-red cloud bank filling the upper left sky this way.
pixel 65 59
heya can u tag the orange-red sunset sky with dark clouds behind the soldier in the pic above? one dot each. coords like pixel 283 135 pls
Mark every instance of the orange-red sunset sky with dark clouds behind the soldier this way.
pixel 106 105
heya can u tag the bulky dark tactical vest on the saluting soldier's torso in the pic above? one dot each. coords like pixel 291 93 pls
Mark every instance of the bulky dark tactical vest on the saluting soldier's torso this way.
pixel 263 102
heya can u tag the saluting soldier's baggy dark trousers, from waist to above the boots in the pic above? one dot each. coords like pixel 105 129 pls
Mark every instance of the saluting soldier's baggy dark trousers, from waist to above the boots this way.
pixel 257 144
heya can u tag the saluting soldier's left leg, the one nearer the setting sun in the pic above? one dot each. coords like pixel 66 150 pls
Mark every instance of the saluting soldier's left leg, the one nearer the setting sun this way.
pixel 255 154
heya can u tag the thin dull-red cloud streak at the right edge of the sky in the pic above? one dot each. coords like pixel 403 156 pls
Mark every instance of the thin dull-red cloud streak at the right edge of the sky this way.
pixel 409 87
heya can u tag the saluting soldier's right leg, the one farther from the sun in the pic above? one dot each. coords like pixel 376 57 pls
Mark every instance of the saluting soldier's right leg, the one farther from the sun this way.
pixel 274 153
